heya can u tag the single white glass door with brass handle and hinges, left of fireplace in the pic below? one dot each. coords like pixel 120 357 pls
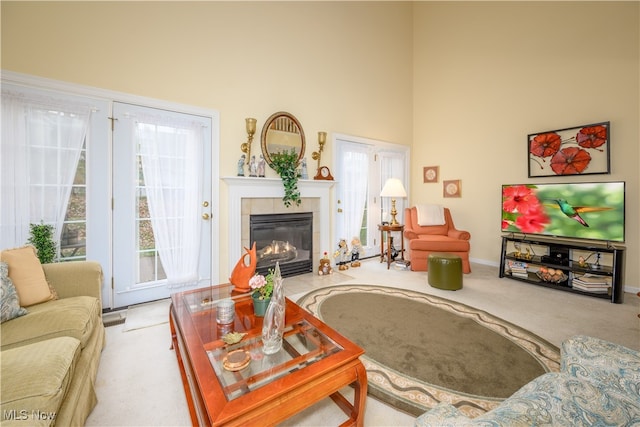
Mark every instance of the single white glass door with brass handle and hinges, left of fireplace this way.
pixel 161 203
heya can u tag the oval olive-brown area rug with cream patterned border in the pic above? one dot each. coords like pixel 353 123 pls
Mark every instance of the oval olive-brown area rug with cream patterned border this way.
pixel 421 350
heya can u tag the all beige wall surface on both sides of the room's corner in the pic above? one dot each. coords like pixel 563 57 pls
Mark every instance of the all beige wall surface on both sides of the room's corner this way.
pixel 464 82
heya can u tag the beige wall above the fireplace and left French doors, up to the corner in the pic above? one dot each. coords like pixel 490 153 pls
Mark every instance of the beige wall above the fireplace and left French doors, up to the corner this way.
pixel 338 67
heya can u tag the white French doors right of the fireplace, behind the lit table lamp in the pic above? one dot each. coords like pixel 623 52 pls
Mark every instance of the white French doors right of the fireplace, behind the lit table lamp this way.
pixel 363 166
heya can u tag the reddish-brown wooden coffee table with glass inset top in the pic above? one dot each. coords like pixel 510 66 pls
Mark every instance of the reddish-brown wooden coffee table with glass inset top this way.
pixel 315 362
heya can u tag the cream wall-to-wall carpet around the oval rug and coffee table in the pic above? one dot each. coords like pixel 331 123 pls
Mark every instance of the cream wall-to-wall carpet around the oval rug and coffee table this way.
pixel 139 382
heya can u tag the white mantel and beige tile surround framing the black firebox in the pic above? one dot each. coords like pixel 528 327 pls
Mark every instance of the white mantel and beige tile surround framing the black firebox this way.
pixel 263 196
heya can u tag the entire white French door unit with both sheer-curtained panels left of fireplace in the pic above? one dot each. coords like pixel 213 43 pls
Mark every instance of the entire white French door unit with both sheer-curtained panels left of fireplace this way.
pixel 125 157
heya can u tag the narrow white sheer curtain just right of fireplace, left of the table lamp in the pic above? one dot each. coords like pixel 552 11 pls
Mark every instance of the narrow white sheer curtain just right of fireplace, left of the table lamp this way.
pixel 354 180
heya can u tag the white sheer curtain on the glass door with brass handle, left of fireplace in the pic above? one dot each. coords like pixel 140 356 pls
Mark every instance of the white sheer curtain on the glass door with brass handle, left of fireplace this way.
pixel 171 156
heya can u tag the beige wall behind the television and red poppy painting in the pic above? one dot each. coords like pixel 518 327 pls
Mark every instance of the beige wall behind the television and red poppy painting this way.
pixel 489 73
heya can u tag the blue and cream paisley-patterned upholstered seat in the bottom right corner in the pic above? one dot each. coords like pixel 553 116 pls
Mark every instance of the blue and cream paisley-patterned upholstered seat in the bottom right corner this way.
pixel 598 384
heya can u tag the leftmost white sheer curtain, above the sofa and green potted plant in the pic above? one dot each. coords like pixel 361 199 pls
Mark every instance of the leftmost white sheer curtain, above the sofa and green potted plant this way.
pixel 42 138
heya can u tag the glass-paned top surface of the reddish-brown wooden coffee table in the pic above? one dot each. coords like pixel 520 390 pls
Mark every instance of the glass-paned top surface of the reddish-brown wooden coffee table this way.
pixel 303 343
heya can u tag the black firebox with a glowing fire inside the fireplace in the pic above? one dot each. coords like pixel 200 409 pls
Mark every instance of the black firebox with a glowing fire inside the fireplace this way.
pixel 286 238
